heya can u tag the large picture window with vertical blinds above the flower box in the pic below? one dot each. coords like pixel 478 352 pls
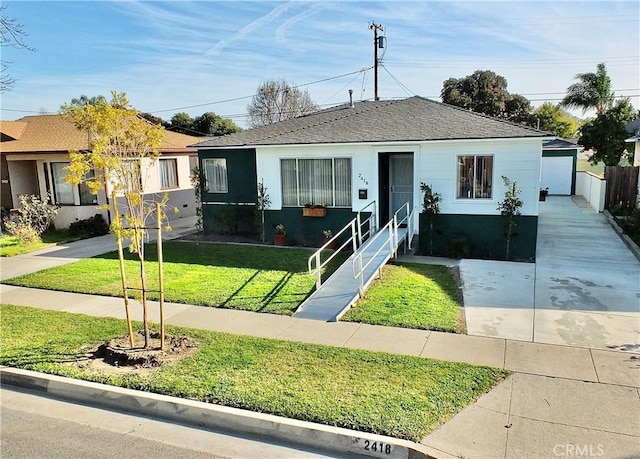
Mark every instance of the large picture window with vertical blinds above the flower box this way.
pixel 316 181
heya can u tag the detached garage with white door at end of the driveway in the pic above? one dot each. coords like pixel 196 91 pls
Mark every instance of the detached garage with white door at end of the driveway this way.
pixel 559 164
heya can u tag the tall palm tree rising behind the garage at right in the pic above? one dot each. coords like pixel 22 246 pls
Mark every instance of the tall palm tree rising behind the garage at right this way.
pixel 592 91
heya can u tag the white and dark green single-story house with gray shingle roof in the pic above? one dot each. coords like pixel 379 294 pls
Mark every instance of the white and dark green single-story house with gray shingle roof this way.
pixel 375 155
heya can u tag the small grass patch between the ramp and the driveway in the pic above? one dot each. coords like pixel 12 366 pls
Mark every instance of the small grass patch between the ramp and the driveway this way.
pixel 410 295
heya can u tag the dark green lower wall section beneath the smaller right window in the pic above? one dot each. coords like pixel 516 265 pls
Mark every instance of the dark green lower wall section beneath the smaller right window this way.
pixel 478 236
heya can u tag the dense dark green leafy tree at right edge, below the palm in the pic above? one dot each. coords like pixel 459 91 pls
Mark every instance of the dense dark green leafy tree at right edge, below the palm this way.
pixel 606 134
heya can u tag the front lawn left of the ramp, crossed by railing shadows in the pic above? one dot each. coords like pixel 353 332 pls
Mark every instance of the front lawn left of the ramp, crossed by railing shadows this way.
pixel 263 279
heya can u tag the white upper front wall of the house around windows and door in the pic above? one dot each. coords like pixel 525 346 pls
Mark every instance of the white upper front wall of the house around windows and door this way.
pixel 435 163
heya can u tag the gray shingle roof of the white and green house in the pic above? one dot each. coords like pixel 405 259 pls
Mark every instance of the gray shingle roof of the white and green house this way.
pixel 412 119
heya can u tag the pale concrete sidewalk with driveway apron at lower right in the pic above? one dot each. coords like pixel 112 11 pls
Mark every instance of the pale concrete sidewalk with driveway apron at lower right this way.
pixel 559 398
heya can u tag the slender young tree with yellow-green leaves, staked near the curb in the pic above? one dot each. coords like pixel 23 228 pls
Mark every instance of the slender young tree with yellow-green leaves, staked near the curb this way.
pixel 121 141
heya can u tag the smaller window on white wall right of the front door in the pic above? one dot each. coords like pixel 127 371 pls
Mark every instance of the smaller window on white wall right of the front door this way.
pixel 475 177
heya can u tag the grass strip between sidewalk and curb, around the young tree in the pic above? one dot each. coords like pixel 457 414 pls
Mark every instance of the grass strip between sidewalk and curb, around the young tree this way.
pixel 400 396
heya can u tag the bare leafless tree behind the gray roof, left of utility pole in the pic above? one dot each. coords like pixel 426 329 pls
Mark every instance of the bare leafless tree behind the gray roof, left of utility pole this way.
pixel 277 100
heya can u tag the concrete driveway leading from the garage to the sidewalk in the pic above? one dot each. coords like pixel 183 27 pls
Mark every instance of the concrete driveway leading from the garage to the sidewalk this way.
pixel 583 290
